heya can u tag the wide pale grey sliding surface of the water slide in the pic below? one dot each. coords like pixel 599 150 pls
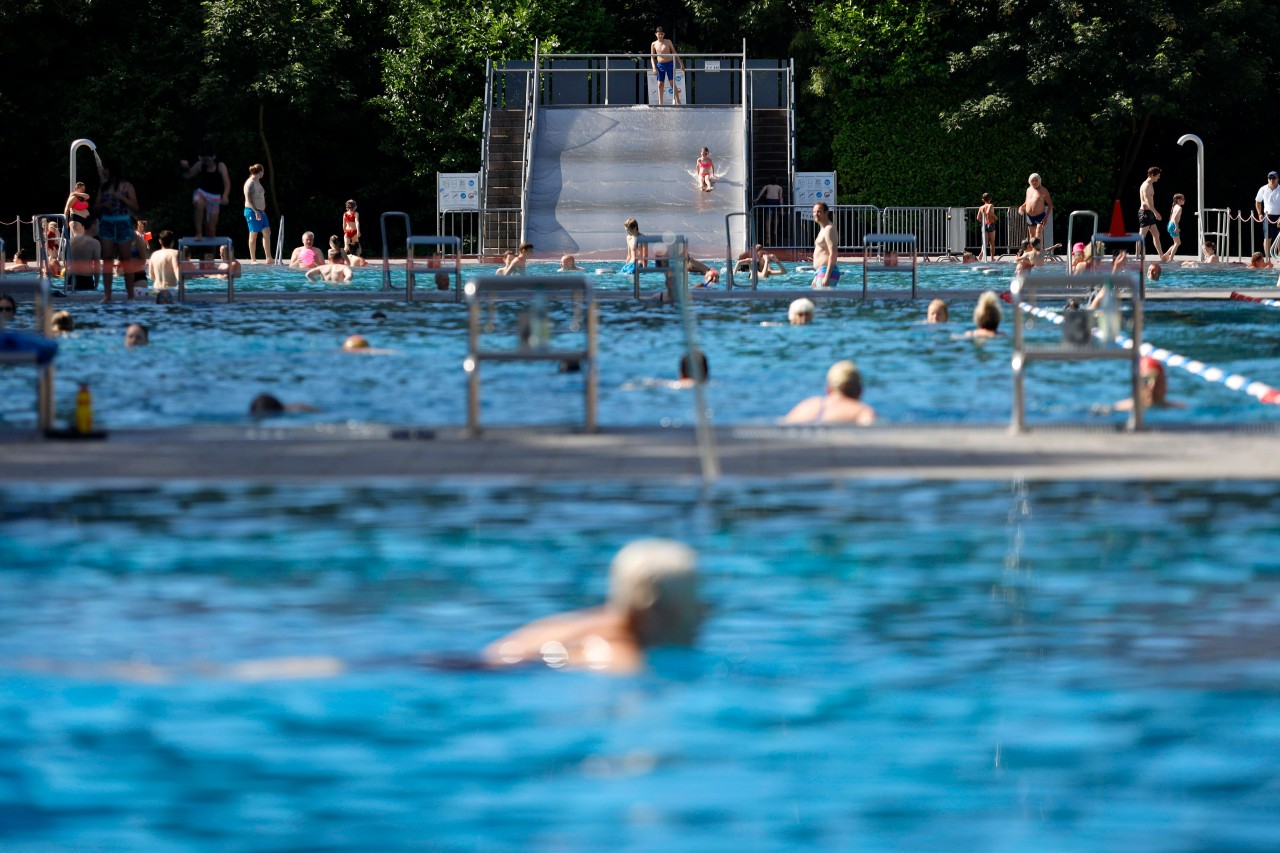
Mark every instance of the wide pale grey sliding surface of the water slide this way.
pixel 596 167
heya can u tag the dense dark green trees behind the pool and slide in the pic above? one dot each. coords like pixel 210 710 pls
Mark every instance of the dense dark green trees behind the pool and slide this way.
pixel 913 102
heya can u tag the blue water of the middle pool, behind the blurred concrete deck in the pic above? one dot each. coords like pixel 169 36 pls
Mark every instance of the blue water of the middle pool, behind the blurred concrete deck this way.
pixel 208 361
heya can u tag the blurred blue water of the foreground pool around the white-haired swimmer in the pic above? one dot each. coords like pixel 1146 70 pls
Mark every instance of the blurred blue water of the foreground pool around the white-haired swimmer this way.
pixel 886 667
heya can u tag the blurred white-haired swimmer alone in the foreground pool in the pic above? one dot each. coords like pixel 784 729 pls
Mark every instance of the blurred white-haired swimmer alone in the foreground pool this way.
pixel 652 603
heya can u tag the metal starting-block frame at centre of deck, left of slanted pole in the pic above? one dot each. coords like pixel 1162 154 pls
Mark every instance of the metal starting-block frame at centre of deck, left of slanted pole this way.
pixel 538 288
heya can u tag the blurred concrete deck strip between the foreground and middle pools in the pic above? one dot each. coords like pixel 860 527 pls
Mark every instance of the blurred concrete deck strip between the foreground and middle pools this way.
pixel 380 453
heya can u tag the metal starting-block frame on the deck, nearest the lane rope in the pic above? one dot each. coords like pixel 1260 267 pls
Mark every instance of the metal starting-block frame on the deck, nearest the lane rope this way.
pixel 1028 289
